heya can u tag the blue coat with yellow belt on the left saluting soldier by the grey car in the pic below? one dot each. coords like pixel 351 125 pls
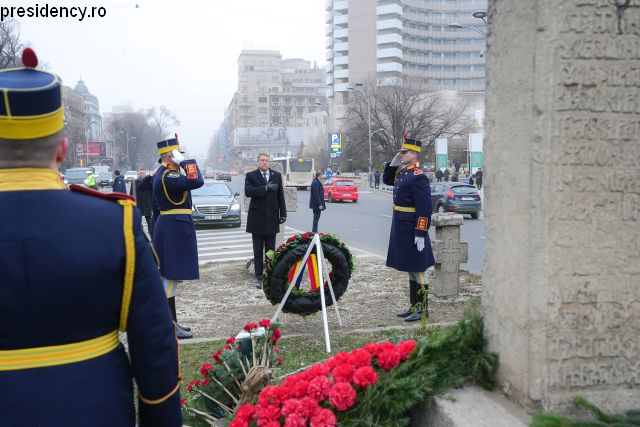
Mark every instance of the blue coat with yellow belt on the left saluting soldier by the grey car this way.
pixel 174 234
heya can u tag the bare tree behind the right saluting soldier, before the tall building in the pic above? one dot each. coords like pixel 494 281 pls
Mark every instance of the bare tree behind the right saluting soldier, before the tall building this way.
pixel 399 107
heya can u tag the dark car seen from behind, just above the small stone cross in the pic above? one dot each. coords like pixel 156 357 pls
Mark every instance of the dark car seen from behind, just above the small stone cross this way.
pixel 456 197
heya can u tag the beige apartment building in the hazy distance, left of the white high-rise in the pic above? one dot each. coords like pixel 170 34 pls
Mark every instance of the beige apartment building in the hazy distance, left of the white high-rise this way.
pixel 268 108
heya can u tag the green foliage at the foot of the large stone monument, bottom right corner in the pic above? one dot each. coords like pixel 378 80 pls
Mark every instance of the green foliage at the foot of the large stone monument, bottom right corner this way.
pixel 601 419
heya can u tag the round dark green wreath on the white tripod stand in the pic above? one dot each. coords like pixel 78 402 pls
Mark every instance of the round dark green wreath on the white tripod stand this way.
pixel 276 277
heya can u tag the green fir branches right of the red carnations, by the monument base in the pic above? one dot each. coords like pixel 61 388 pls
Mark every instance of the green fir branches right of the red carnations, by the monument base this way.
pixel 447 358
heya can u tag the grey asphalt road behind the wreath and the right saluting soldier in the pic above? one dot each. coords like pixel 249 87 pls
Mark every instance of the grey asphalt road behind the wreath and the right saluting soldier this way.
pixel 366 225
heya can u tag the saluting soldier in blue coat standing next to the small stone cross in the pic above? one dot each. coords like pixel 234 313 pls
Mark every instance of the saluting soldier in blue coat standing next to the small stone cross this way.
pixel 409 246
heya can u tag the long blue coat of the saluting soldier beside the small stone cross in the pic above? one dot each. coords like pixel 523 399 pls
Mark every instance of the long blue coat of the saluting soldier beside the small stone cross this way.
pixel 411 218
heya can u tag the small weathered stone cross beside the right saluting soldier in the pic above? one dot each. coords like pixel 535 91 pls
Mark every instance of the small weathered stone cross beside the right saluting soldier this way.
pixel 449 252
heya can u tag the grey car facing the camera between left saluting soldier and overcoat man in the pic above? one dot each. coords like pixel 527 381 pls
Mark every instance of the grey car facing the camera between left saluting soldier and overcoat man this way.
pixel 215 204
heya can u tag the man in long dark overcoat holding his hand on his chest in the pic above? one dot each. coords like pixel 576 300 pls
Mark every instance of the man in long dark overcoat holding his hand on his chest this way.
pixel 267 210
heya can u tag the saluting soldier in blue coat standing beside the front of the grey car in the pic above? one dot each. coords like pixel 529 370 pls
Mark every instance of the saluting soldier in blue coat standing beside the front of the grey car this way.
pixel 174 234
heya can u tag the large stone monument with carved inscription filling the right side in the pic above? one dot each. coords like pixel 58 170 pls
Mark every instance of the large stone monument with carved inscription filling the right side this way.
pixel 562 266
